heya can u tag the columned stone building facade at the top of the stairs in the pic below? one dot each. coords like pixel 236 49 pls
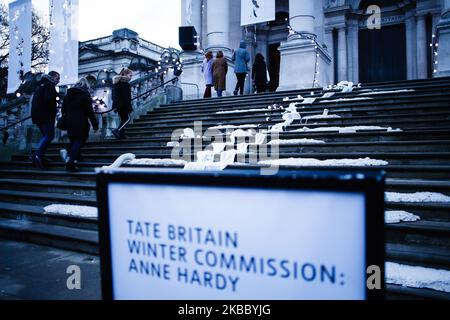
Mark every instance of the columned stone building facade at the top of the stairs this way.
pixel 323 42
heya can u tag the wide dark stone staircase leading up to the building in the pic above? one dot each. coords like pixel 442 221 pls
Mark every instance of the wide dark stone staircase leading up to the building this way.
pixel 418 157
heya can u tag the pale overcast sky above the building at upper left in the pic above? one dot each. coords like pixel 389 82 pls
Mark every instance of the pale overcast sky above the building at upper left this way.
pixel 155 20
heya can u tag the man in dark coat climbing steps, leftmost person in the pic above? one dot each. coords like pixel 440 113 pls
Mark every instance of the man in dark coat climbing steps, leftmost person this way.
pixel 43 114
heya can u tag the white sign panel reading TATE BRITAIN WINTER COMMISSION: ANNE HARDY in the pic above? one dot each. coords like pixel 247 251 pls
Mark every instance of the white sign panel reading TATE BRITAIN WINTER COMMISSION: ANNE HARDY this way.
pixel 177 242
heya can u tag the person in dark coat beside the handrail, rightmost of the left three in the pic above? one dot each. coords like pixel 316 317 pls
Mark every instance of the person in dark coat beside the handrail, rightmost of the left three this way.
pixel 122 100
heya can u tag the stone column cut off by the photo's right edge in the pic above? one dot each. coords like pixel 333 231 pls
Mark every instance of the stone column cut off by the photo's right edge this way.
pixel 443 29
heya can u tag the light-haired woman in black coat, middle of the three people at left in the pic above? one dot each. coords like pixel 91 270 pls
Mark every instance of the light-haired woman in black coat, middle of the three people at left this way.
pixel 78 112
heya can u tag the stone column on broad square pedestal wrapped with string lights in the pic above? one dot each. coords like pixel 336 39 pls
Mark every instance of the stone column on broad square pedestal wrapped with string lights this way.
pixel 299 53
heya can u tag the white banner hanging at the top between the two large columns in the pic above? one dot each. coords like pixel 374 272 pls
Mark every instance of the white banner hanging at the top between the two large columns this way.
pixel 257 11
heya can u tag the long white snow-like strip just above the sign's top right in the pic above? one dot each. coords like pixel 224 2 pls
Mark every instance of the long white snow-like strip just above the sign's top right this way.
pixel 305 162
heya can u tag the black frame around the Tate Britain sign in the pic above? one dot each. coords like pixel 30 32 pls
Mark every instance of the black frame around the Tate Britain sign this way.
pixel 369 182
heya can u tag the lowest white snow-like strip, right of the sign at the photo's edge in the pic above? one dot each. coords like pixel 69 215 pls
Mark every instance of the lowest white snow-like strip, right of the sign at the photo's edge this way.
pixel 417 277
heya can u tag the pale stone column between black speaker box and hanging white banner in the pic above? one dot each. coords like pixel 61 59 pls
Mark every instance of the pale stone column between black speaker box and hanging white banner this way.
pixel 218 32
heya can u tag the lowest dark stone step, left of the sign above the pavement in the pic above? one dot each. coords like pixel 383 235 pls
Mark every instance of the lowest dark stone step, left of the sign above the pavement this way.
pixel 75 239
